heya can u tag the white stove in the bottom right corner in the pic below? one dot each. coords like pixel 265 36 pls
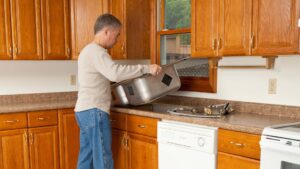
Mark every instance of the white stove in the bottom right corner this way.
pixel 280 147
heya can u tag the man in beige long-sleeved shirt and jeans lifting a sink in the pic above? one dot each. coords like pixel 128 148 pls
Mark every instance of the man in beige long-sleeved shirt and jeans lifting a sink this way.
pixel 95 71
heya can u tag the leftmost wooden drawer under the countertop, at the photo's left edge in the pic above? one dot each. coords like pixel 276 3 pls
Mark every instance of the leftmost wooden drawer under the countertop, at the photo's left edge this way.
pixel 13 121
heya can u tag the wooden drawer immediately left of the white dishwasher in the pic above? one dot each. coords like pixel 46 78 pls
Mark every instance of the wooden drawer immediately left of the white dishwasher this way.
pixel 142 125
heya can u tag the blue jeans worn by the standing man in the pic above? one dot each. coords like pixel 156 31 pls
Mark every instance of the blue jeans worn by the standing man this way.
pixel 95 140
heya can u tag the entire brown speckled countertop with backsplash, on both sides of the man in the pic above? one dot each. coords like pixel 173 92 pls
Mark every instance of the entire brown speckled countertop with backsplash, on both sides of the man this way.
pixel 248 117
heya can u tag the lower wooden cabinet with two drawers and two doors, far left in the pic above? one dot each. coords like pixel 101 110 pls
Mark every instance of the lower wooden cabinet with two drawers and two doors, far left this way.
pixel 29 140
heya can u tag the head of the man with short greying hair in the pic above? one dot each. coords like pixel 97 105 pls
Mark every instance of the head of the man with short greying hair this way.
pixel 107 30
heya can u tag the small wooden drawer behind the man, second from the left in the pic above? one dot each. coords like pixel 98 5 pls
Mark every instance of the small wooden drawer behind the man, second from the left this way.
pixel 42 118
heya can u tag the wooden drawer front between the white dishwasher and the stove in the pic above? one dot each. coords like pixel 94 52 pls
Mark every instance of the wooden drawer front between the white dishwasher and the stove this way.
pixel 239 143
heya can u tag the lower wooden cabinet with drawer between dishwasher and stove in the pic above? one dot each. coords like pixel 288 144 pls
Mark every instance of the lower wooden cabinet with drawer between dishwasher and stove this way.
pixel 238 150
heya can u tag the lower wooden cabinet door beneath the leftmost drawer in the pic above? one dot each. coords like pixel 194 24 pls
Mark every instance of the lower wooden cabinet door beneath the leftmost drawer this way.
pixel 14 149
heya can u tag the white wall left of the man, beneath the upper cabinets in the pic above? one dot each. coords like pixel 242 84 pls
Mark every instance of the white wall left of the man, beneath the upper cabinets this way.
pixel 21 77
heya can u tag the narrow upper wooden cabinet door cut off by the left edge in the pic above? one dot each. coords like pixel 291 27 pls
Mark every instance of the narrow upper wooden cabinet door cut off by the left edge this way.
pixel 5 30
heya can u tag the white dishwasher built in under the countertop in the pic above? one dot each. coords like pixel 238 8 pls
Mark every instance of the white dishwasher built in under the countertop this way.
pixel 186 146
